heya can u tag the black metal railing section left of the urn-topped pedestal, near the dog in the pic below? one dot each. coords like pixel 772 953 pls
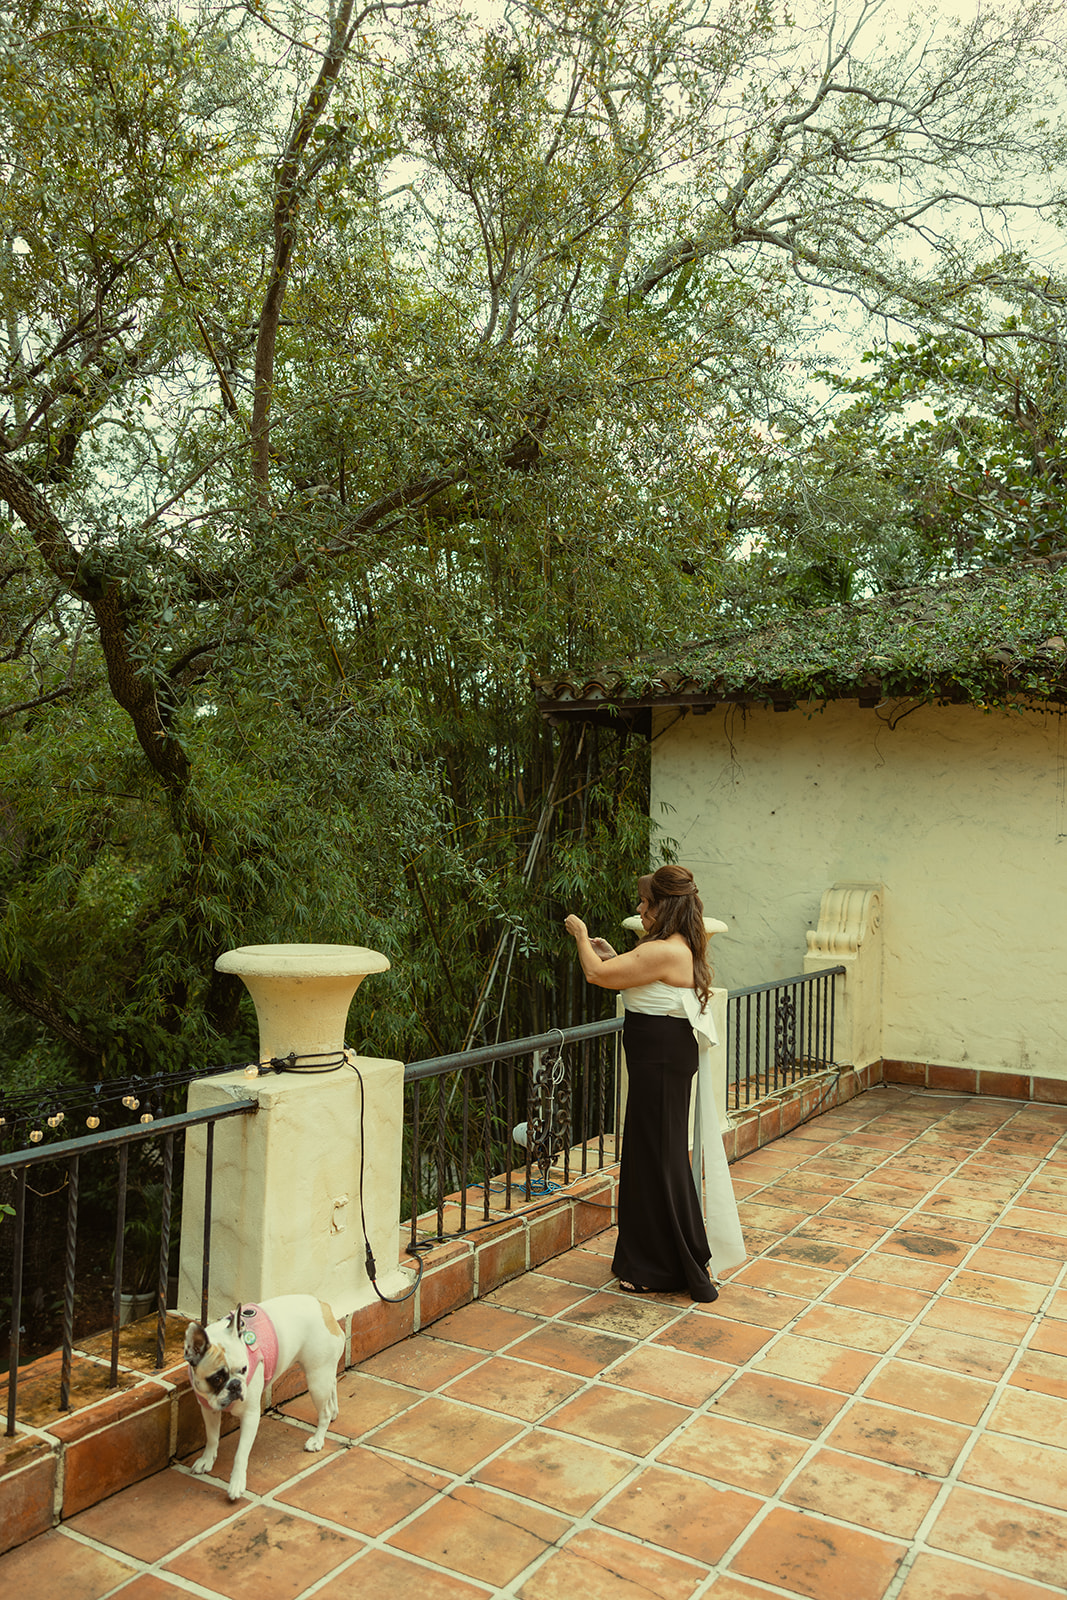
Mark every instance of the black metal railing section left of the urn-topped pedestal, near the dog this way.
pixel 71 1153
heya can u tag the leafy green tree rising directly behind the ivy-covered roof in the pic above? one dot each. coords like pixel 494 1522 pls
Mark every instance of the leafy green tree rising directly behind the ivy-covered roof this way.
pixel 941 454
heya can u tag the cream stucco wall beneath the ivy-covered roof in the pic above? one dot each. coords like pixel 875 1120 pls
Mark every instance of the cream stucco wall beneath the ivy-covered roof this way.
pixel 961 815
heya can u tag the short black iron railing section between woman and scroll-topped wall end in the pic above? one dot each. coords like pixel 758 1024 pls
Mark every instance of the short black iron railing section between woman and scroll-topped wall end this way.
pixel 778 1033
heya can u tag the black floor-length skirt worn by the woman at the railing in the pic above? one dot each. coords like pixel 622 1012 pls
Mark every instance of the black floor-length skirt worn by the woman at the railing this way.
pixel 663 1244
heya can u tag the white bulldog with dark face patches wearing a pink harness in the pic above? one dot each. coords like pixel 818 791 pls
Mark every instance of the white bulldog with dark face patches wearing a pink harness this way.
pixel 233 1361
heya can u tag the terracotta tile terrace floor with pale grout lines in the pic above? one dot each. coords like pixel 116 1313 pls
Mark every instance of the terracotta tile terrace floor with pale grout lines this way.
pixel 874 1409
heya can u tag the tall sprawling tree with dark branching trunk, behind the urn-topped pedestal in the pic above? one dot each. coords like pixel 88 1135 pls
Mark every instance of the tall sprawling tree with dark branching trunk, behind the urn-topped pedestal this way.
pixel 361 362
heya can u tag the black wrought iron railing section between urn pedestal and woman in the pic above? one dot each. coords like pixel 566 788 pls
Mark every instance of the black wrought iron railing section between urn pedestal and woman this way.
pixel 505 1118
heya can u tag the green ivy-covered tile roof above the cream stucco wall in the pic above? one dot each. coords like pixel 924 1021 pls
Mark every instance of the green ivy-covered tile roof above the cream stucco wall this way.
pixel 991 638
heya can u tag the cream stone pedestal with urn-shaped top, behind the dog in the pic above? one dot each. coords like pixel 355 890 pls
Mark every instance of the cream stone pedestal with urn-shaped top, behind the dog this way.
pixel 286 1210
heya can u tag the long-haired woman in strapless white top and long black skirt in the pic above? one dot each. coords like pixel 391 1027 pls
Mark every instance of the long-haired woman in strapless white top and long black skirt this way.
pixel 666 986
